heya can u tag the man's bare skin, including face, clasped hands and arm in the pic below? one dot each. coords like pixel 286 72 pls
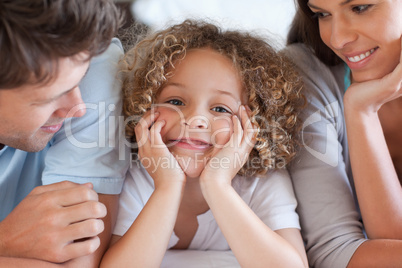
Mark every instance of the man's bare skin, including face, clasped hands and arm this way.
pixel 59 224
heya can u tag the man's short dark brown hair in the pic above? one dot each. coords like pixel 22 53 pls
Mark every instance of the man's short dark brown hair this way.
pixel 36 34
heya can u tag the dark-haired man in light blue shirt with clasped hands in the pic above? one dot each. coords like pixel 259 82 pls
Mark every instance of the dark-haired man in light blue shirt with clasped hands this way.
pixel 51 53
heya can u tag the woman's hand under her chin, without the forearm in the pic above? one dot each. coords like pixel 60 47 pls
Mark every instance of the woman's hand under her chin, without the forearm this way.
pixel 369 96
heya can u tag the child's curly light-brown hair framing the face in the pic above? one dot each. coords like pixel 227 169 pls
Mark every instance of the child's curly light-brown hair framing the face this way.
pixel 271 83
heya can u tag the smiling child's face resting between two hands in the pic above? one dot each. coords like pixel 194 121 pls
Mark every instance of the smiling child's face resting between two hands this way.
pixel 197 103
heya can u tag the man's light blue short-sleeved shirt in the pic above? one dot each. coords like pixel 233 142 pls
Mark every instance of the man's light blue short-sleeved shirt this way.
pixel 86 149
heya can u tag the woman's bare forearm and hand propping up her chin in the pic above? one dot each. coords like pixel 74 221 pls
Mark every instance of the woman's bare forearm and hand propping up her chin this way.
pixel 373 170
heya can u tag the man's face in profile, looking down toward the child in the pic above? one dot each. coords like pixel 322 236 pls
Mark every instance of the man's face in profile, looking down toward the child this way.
pixel 31 114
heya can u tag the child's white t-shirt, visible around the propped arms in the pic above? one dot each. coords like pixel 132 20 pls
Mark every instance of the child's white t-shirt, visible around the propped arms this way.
pixel 270 196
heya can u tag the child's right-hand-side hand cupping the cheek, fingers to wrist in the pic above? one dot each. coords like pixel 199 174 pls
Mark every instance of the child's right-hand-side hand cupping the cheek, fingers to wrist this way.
pixel 227 161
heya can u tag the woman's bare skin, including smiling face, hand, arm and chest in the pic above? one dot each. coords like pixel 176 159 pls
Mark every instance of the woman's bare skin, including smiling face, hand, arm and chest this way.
pixel 373 116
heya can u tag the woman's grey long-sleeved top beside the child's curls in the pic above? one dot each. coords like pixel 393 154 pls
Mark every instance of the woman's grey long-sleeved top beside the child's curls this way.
pixel 321 173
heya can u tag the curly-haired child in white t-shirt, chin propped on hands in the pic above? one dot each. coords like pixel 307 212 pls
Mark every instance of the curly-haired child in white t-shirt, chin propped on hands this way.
pixel 203 182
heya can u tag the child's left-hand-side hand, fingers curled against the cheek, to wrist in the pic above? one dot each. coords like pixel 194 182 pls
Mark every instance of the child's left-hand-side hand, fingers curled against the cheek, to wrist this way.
pixel 153 151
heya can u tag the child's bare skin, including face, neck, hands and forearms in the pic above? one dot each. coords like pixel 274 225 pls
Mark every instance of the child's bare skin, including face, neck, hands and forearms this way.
pixel 186 190
